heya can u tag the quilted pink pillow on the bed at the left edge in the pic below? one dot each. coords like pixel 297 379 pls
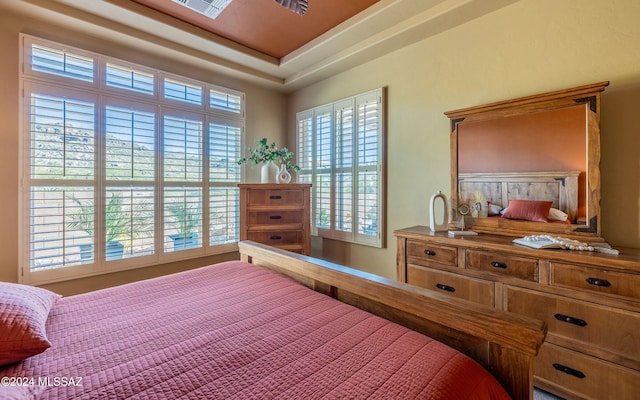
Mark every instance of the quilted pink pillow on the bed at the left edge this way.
pixel 23 314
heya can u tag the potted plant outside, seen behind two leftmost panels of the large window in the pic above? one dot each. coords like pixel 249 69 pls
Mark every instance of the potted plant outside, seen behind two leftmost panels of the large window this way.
pixel 116 227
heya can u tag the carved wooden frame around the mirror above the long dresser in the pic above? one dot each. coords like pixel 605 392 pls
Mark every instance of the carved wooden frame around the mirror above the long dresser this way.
pixel 589 96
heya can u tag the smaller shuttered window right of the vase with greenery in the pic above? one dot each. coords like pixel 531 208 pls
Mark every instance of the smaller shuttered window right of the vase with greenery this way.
pixel 341 152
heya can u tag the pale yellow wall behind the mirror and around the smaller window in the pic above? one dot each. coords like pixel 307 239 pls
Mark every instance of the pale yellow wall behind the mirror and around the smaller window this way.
pixel 532 46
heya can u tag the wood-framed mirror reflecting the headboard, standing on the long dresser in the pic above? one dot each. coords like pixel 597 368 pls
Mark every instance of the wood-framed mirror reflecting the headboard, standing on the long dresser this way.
pixel 528 152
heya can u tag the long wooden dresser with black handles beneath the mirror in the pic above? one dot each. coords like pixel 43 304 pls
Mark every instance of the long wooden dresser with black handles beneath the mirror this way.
pixel 590 302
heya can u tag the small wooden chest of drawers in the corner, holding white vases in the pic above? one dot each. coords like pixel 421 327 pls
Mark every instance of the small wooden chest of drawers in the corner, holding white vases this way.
pixel 277 215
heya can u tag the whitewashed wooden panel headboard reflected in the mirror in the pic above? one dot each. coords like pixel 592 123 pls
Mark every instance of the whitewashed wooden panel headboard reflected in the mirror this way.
pixel 498 188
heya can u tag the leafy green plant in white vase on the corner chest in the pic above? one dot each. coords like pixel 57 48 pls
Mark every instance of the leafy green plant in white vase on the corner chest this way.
pixel 266 154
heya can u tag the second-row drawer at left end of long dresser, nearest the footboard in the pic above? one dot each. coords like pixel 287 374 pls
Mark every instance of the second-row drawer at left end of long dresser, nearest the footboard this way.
pixel 462 287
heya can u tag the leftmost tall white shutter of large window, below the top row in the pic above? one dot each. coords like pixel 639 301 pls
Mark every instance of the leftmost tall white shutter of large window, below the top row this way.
pixel 60 167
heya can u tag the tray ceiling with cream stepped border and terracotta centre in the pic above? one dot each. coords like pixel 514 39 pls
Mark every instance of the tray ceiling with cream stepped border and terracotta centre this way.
pixel 259 40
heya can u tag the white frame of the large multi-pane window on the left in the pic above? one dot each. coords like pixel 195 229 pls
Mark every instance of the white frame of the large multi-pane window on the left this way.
pixel 102 95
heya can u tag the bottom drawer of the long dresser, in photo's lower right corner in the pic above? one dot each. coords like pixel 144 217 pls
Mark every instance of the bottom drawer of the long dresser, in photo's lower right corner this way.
pixel 584 376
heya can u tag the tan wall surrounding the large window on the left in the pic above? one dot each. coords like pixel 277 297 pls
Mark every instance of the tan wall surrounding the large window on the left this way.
pixel 265 116
